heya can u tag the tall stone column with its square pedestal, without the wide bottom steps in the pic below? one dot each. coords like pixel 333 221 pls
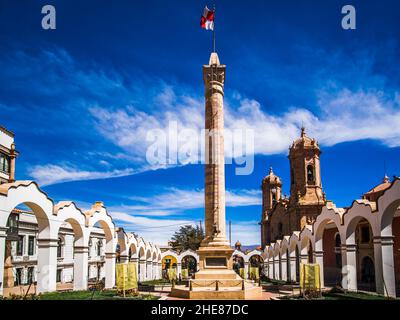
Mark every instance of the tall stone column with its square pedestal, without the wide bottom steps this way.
pixel 215 252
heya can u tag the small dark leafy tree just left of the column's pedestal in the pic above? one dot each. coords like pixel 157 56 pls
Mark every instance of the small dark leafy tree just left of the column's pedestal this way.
pixel 187 237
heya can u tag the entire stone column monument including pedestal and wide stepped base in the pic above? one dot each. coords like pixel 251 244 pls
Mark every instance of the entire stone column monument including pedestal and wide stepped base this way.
pixel 216 278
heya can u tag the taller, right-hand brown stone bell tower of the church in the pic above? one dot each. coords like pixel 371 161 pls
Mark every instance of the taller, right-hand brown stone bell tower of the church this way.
pixel 306 194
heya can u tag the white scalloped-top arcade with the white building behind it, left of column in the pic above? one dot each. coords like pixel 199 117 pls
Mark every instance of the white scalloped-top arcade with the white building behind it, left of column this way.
pixel 53 245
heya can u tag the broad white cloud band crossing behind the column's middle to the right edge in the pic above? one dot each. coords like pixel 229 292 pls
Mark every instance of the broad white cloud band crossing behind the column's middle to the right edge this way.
pixel 343 116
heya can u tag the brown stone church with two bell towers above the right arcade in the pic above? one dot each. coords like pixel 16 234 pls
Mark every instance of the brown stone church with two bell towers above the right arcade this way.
pixel 282 215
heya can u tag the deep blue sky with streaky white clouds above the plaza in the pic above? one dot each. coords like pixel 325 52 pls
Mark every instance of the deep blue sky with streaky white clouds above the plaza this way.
pixel 81 98
